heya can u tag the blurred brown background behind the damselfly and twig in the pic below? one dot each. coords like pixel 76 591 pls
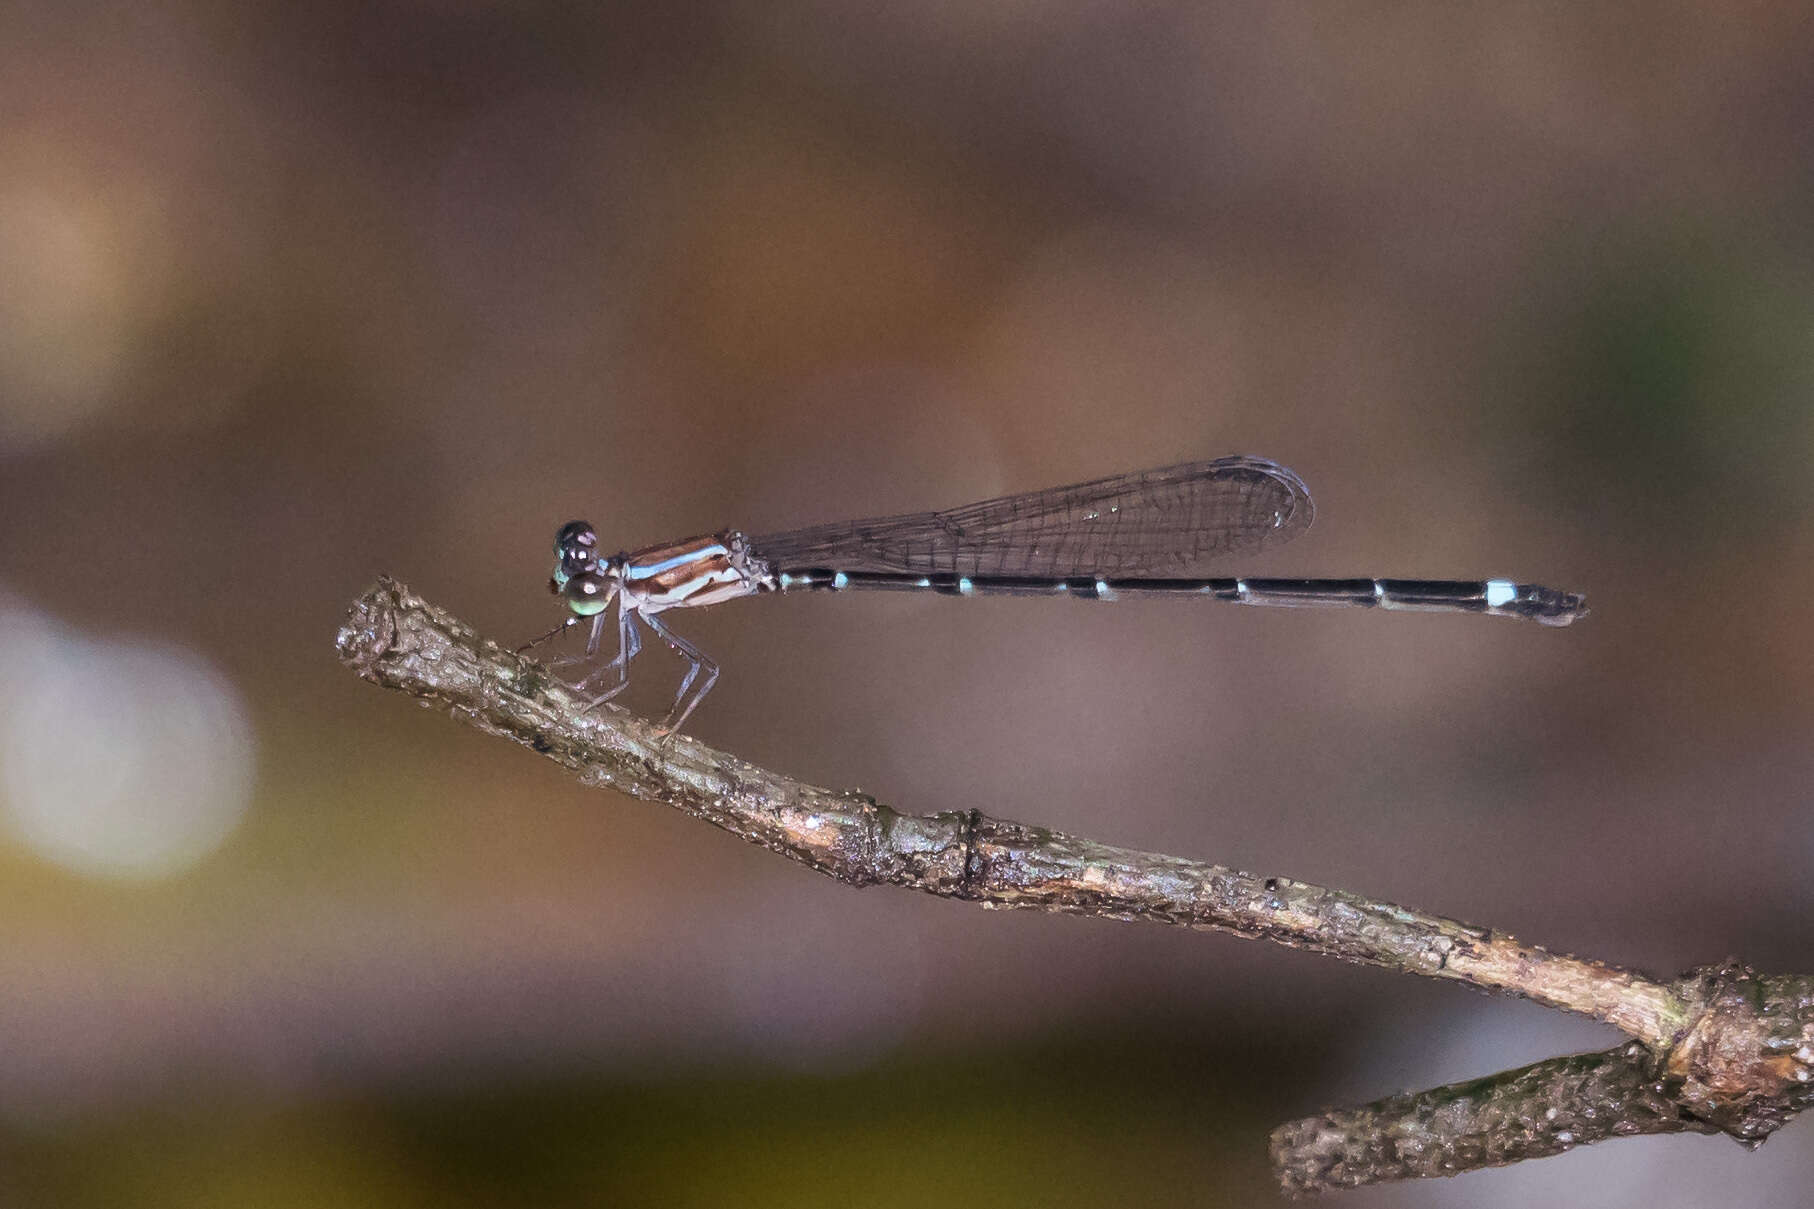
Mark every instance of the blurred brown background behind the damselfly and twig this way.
pixel 297 295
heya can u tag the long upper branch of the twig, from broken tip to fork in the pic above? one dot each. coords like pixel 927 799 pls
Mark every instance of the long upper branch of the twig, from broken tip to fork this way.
pixel 400 642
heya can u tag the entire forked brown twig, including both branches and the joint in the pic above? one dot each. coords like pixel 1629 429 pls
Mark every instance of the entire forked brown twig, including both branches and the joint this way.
pixel 1722 1048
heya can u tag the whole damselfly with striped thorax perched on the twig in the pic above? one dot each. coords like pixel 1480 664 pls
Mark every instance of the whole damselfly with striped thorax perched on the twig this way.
pixel 1131 535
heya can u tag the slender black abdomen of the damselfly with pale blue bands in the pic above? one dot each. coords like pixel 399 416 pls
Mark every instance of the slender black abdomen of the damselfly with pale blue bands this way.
pixel 1479 596
